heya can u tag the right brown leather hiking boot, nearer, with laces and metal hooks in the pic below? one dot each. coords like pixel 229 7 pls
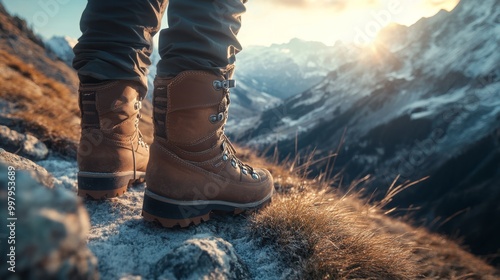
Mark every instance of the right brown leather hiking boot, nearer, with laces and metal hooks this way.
pixel 193 169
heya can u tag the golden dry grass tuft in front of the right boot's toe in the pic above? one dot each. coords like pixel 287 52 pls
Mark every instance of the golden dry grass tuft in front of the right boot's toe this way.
pixel 328 239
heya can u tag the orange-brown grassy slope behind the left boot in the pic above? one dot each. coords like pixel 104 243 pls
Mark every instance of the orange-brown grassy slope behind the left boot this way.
pixel 38 91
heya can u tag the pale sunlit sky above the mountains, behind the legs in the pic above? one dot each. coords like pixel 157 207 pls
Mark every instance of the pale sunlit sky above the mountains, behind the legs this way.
pixel 266 21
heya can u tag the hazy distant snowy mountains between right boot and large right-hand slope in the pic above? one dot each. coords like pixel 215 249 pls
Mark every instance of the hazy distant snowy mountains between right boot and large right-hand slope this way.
pixel 267 75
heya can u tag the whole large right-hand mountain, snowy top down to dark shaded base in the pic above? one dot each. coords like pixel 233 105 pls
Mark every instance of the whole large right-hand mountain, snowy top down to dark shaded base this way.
pixel 424 100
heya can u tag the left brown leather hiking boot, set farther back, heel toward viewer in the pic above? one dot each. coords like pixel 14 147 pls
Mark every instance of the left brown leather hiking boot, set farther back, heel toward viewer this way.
pixel 112 154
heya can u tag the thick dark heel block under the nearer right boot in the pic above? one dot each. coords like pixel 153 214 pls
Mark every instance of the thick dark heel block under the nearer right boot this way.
pixel 170 214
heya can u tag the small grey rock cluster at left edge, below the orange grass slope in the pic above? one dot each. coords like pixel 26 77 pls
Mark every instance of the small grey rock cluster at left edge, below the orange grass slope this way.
pixel 23 144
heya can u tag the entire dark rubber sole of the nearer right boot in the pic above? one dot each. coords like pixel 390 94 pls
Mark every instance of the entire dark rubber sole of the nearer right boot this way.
pixel 171 213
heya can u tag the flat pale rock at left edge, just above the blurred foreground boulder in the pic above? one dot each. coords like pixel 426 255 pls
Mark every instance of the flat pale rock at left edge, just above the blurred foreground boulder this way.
pixel 20 163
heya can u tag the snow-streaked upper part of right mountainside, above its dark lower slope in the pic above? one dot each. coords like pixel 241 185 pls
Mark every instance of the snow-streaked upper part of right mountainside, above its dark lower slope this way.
pixel 433 64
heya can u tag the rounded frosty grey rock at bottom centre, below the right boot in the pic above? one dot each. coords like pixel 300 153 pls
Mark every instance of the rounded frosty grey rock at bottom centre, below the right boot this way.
pixel 202 257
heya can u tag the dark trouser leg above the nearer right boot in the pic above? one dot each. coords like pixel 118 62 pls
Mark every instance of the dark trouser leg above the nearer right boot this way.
pixel 201 36
